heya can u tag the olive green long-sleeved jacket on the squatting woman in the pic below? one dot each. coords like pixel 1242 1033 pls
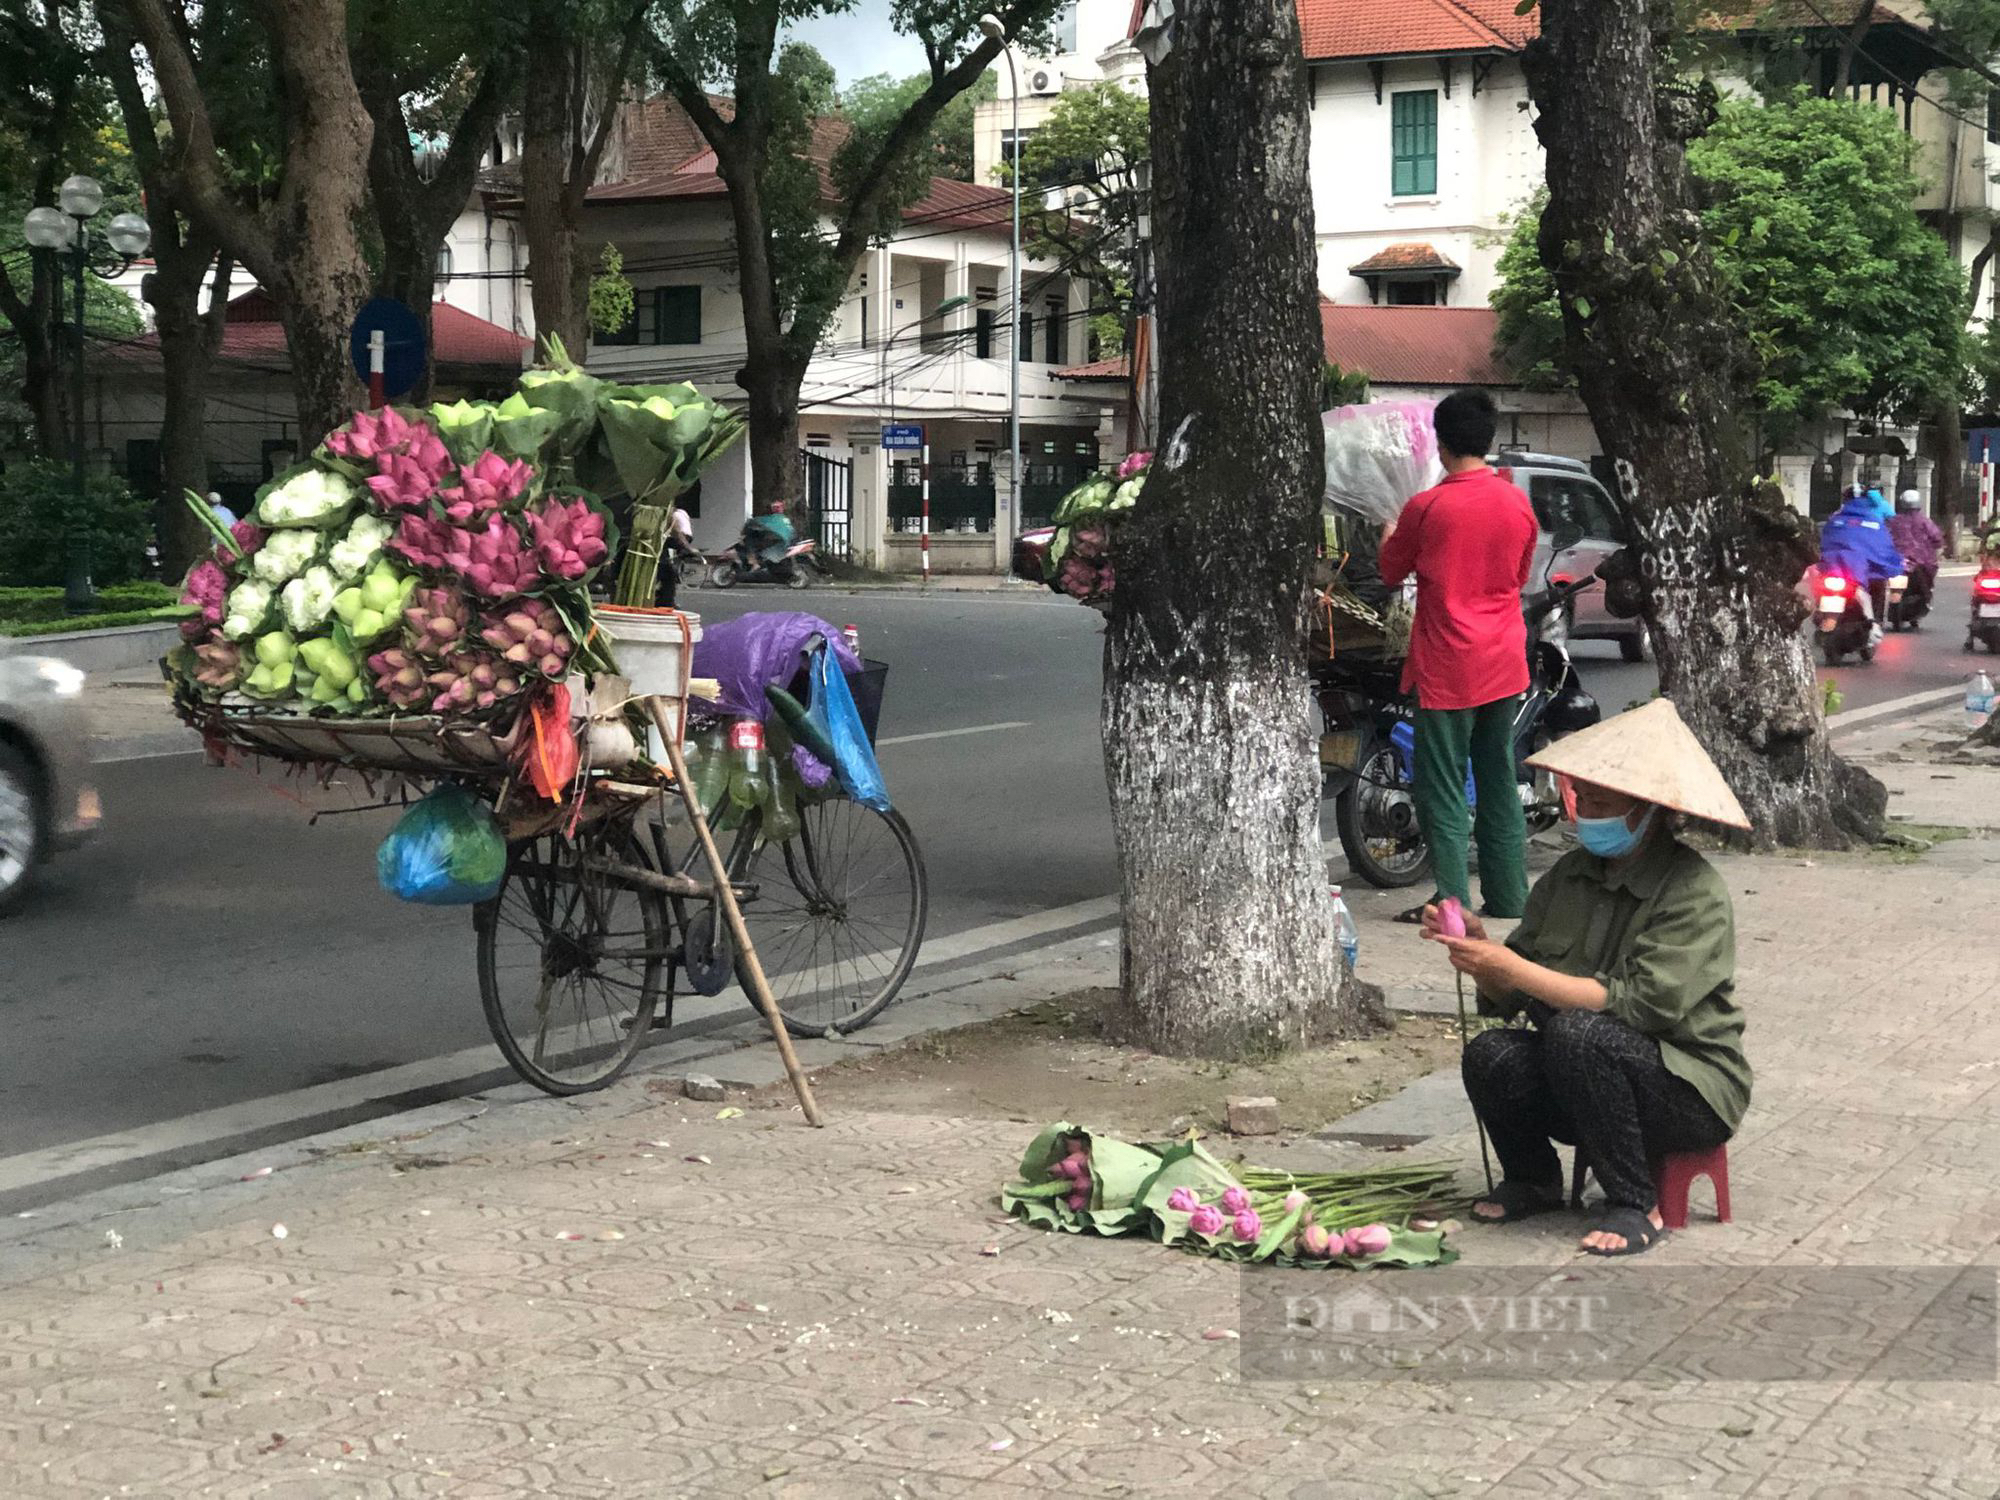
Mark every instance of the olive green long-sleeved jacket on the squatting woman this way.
pixel 1661 939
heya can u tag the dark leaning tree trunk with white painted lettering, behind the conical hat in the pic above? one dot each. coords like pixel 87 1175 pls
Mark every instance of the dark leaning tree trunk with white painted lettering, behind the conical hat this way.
pixel 1657 361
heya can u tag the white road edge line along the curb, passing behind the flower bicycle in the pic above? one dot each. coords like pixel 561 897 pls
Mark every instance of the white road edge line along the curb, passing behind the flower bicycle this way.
pixel 229 1121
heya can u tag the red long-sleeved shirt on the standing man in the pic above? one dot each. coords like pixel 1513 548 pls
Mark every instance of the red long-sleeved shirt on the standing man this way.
pixel 1471 543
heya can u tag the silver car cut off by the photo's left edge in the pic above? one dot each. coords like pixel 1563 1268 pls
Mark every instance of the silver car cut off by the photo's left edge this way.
pixel 47 801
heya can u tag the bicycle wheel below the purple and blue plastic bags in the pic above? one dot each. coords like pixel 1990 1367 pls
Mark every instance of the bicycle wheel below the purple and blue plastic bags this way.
pixel 837 915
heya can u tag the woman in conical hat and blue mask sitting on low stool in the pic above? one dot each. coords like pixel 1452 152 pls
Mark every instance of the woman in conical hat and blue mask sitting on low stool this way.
pixel 1627 965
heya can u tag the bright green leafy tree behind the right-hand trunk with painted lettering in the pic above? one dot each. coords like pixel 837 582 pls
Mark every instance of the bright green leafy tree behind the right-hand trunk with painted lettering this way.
pixel 1847 299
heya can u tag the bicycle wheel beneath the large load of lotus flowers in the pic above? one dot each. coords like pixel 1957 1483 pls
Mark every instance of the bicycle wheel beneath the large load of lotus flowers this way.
pixel 571 959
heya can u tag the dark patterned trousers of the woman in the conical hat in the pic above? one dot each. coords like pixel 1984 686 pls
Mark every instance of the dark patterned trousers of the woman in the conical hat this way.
pixel 1593 1083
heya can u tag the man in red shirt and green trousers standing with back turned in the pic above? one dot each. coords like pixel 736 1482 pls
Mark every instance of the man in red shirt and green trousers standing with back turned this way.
pixel 1469 543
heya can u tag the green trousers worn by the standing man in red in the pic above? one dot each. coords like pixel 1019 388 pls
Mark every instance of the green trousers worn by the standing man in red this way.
pixel 1447 739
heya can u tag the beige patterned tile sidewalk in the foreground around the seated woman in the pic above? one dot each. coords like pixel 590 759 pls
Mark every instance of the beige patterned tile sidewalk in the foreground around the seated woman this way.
pixel 845 1313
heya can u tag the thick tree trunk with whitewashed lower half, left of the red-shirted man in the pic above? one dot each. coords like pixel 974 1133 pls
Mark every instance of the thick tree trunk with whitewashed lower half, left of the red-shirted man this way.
pixel 1209 747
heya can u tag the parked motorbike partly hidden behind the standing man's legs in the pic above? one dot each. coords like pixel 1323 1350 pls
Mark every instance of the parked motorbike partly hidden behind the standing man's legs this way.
pixel 1369 743
